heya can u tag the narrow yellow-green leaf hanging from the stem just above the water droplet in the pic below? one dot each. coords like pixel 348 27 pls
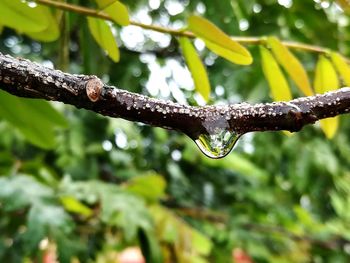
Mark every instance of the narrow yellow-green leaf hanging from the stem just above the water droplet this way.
pixel 196 67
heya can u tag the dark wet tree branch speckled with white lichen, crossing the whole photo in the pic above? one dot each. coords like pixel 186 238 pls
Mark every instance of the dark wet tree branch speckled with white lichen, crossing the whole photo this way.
pixel 27 79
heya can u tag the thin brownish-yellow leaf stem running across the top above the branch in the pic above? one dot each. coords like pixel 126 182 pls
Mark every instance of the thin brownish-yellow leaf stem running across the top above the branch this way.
pixel 245 40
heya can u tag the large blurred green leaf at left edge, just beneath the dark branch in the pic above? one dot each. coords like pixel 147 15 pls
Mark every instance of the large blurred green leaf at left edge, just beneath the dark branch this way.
pixel 35 119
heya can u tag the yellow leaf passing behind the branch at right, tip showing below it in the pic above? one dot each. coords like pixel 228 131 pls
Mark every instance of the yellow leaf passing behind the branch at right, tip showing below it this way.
pixel 326 79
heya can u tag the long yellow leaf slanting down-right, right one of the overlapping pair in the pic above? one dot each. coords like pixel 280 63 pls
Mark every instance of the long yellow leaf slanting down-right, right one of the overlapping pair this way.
pixel 291 64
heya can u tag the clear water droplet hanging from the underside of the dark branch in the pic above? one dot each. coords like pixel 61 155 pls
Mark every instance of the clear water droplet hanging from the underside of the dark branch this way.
pixel 217 145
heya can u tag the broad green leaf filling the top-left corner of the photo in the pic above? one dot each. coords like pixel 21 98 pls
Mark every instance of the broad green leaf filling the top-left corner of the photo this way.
pixel 20 16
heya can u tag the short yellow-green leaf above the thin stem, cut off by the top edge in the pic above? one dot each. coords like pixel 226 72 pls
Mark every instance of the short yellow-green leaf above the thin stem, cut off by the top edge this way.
pixel 117 11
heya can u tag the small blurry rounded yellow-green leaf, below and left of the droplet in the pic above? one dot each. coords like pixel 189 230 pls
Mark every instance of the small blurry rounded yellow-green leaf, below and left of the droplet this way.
pixel 151 187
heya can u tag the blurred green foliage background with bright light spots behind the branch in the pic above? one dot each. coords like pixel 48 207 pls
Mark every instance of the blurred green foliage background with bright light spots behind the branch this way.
pixel 107 184
